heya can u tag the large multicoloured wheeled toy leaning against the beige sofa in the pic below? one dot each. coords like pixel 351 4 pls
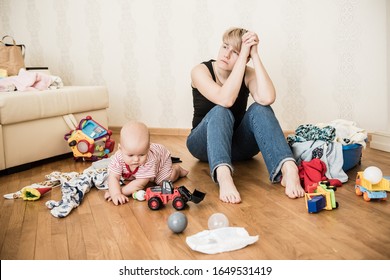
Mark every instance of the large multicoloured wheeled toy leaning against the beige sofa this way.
pixel 90 140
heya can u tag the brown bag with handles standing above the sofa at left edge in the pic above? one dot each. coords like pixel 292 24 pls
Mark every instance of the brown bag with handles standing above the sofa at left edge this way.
pixel 11 56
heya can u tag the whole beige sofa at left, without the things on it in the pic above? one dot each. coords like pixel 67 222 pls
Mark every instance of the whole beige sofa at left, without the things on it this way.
pixel 32 126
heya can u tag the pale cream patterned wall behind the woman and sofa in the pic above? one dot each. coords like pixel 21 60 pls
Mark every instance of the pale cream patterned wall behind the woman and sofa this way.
pixel 328 58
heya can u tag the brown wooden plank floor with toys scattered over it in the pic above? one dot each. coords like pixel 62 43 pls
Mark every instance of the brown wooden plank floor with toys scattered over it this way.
pixel 99 230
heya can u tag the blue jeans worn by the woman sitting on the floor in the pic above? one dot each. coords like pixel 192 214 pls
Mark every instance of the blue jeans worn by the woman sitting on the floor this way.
pixel 215 141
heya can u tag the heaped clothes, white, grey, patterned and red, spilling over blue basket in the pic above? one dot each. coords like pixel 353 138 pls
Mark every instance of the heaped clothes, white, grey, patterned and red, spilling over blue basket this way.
pixel 318 150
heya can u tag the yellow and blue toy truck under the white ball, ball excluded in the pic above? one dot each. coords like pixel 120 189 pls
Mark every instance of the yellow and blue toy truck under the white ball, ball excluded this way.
pixel 372 191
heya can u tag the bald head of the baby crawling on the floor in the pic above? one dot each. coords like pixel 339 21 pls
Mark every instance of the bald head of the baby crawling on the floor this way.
pixel 134 143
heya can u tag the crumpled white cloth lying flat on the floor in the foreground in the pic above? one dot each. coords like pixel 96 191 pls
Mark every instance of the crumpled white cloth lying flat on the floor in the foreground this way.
pixel 220 240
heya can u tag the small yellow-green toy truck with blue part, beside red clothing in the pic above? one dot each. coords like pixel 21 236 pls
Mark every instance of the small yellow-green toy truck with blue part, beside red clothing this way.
pixel 321 196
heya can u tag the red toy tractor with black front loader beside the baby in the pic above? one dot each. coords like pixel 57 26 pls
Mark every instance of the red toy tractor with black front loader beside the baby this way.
pixel 158 196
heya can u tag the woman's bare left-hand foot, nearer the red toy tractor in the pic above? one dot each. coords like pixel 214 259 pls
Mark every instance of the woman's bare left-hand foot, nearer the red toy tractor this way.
pixel 227 190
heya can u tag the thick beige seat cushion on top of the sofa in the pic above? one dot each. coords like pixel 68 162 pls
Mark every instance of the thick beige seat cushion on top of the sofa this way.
pixel 18 107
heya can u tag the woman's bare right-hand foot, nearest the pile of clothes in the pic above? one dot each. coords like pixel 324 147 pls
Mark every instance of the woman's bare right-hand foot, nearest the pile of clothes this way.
pixel 291 181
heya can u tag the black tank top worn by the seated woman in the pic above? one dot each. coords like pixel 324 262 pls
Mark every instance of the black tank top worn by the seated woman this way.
pixel 202 105
